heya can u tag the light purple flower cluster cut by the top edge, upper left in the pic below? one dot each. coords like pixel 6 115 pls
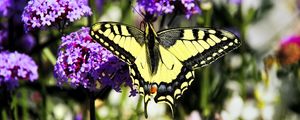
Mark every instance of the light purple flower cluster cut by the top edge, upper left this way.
pixel 42 13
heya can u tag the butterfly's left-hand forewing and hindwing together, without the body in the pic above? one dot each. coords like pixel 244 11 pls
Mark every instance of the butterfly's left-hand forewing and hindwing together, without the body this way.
pixel 127 43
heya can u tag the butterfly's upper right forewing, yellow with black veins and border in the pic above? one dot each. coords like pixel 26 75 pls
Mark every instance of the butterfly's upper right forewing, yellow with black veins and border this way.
pixel 196 47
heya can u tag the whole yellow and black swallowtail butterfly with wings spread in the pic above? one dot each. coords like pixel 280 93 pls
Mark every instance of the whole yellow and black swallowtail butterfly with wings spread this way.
pixel 162 63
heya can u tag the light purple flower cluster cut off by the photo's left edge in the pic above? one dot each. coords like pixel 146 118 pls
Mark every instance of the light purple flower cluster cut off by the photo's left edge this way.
pixel 15 66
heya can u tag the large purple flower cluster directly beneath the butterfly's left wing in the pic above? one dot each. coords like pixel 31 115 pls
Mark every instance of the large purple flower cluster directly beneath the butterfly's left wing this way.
pixel 83 62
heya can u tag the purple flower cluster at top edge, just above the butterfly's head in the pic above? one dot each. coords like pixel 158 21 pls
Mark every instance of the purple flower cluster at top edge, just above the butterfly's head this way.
pixel 168 6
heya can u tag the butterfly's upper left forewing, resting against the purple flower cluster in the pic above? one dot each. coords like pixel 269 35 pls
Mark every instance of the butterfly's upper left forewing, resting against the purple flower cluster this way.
pixel 124 41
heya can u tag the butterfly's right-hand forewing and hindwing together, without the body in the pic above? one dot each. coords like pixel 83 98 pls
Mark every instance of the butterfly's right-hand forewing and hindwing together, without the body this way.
pixel 182 50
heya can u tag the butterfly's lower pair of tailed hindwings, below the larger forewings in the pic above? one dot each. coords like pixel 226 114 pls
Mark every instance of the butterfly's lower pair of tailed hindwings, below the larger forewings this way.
pixel 171 78
